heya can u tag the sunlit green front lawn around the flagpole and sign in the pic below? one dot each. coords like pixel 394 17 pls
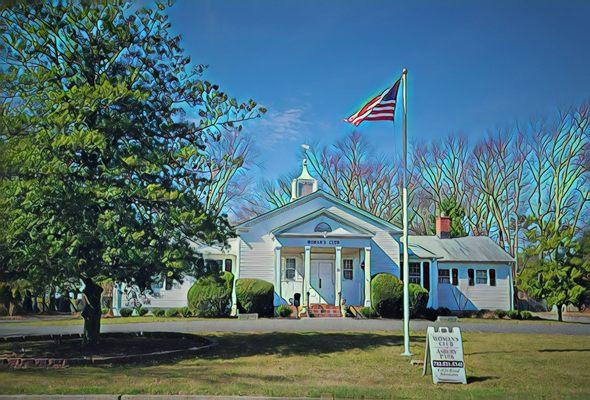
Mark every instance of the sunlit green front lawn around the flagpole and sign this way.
pixel 343 364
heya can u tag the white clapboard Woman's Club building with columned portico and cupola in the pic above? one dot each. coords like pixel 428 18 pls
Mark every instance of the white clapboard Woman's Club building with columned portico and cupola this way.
pixel 318 249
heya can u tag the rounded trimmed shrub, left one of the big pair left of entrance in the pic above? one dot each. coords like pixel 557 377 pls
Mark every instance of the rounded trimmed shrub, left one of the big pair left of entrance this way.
pixel 210 296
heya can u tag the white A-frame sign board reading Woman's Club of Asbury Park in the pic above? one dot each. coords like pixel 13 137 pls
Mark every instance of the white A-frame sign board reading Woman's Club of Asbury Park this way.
pixel 444 353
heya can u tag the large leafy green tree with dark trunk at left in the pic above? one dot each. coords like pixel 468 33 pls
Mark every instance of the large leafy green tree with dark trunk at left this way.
pixel 97 147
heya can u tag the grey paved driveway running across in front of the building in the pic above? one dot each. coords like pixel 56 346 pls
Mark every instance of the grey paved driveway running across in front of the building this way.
pixel 314 324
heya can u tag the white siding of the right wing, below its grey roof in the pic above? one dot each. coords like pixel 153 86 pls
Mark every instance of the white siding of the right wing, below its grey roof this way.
pixel 478 296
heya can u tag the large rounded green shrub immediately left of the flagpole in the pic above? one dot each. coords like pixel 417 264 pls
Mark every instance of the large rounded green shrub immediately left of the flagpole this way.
pixel 387 295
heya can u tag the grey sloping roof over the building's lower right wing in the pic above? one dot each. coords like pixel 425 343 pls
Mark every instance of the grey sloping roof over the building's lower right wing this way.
pixel 465 249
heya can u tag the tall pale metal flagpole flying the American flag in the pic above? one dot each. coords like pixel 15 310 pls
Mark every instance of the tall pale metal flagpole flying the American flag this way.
pixel 406 267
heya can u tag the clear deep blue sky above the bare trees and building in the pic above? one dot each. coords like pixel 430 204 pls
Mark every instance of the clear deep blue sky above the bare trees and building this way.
pixel 473 65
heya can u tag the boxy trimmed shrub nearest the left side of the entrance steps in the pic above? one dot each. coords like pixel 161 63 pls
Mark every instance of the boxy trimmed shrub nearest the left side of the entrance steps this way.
pixel 255 296
